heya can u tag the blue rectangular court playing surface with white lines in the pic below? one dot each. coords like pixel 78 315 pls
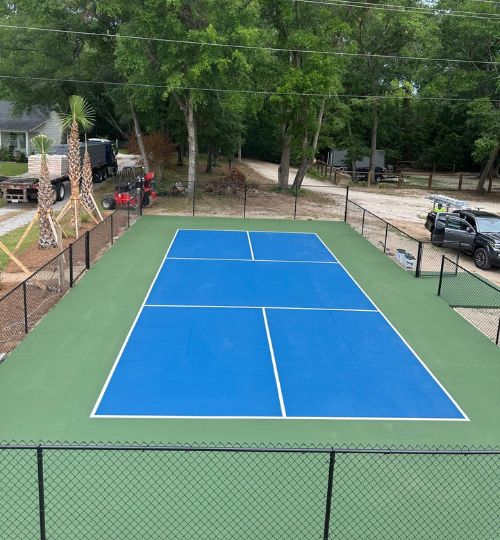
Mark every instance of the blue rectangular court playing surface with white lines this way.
pixel 241 324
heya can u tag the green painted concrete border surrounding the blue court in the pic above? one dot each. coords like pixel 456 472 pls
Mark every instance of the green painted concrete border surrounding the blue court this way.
pixel 50 383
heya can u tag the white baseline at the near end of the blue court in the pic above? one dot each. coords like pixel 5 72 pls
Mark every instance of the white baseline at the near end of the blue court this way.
pixel 359 418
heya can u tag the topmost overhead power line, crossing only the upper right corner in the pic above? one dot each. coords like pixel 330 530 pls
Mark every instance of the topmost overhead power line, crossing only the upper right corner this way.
pixel 406 9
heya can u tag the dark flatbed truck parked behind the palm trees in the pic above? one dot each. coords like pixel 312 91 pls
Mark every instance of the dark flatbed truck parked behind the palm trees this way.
pixel 23 188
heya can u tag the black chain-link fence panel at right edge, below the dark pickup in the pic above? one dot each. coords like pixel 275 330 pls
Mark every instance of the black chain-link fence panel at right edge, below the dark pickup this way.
pixel 477 300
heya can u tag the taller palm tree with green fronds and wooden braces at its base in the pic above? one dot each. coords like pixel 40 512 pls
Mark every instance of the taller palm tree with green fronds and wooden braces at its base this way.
pixel 81 116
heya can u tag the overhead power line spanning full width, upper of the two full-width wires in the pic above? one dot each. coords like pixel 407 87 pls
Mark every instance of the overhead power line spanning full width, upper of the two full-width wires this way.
pixel 247 47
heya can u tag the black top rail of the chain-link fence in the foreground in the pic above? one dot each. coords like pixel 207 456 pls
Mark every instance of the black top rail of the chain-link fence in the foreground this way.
pixel 249 449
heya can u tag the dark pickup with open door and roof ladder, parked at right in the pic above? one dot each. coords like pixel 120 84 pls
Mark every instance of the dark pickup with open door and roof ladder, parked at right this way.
pixel 474 232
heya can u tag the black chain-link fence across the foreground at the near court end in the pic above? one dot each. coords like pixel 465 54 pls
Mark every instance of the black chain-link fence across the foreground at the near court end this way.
pixel 209 493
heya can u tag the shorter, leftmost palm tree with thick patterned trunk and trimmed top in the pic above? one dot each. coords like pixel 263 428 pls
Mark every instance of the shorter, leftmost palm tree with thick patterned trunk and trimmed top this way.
pixel 48 236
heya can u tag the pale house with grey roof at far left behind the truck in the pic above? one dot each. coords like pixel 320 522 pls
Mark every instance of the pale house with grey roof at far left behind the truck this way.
pixel 16 131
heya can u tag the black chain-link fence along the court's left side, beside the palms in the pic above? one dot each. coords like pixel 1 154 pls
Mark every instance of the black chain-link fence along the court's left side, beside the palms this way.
pixel 24 306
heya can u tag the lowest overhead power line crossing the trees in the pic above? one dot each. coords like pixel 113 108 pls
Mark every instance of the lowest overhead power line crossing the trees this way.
pixel 232 90
